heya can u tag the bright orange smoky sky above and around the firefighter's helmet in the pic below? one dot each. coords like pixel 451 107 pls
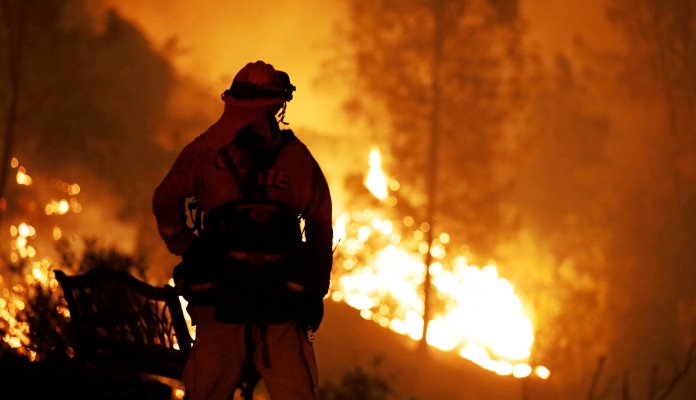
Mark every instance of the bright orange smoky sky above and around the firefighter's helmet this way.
pixel 216 38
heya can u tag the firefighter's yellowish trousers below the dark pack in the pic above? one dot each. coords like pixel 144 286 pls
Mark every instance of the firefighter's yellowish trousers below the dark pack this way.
pixel 283 356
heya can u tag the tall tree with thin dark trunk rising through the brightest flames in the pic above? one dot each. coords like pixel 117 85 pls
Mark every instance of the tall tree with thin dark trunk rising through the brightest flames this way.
pixel 442 71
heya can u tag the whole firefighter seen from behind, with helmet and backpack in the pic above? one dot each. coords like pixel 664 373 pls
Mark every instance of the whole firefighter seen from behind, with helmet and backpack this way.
pixel 255 278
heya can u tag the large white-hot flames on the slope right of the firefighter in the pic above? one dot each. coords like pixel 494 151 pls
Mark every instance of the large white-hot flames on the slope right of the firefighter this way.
pixel 382 273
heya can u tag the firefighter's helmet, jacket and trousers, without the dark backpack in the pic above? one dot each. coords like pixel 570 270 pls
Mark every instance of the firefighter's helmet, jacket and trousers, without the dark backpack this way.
pixel 281 352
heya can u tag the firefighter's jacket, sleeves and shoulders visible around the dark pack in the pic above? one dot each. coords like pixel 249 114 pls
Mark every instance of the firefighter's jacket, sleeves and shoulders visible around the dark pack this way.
pixel 295 179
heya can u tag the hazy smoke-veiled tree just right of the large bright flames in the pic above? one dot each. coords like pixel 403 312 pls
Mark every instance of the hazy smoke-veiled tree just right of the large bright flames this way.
pixel 557 263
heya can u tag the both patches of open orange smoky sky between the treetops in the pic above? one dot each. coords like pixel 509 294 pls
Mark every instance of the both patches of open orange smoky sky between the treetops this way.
pixel 217 37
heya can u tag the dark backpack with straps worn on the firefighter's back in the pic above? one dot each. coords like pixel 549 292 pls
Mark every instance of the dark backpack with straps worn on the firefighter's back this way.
pixel 256 242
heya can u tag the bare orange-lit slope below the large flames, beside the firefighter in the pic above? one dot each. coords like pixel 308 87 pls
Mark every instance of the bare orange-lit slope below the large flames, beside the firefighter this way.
pixel 345 340
